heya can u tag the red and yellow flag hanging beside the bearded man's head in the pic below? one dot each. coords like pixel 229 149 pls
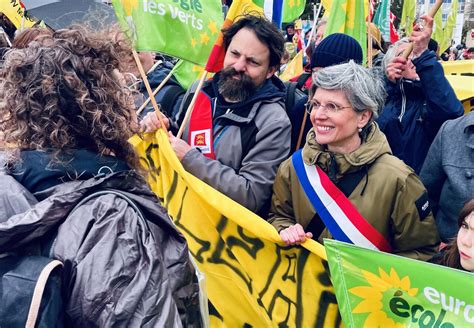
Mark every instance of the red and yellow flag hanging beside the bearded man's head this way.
pixel 238 8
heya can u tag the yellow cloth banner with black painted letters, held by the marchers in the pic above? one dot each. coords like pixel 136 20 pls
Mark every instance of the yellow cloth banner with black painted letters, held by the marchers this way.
pixel 252 279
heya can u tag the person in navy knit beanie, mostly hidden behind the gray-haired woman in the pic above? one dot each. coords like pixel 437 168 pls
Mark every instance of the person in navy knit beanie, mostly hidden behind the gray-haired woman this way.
pixel 334 49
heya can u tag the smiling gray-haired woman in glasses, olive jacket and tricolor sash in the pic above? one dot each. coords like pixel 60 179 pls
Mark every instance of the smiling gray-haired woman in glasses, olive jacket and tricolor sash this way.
pixel 385 205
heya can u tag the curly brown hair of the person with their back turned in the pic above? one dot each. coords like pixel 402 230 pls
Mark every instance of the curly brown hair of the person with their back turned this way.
pixel 64 92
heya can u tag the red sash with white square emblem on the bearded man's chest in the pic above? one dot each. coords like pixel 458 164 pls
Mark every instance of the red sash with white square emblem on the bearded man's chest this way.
pixel 200 126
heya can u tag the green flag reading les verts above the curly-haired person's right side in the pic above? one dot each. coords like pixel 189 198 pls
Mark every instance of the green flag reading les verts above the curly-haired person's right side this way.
pixel 185 29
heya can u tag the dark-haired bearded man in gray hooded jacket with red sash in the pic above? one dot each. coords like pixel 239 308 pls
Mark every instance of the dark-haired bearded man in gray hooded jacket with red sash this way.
pixel 239 132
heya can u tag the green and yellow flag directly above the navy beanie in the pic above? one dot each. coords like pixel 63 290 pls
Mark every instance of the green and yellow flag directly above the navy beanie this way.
pixel 348 17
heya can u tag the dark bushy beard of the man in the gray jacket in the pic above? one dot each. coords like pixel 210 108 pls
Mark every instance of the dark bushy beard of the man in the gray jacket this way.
pixel 235 90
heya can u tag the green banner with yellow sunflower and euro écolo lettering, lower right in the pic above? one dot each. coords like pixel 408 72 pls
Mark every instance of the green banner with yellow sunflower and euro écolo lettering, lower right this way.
pixel 375 289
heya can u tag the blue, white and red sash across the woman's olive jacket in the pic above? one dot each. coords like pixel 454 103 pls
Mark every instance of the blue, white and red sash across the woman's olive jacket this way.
pixel 341 218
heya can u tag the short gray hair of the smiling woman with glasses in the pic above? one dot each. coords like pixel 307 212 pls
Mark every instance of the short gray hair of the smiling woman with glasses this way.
pixel 363 89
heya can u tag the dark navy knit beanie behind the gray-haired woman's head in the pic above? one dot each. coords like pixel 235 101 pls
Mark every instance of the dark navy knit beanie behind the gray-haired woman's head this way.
pixel 336 49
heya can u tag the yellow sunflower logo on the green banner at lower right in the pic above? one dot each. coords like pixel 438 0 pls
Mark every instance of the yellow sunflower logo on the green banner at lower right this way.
pixel 377 296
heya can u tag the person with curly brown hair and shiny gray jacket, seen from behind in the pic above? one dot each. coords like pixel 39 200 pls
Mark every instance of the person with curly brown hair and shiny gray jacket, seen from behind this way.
pixel 66 117
